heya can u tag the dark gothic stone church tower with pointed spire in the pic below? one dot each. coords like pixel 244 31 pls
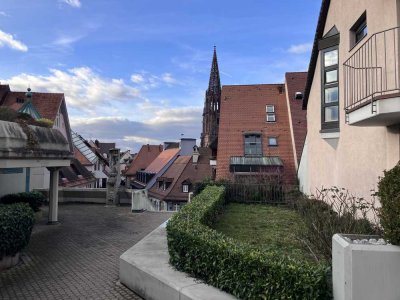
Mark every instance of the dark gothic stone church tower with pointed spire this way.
pixel 212 103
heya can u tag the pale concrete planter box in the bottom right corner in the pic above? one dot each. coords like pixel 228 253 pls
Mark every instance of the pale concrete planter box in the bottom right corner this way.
pixel 364 271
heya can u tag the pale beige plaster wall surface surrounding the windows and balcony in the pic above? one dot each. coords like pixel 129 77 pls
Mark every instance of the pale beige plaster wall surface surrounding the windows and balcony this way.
pixel 359 155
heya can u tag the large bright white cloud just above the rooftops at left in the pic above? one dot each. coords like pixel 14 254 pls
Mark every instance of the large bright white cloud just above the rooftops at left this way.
pixel 84 89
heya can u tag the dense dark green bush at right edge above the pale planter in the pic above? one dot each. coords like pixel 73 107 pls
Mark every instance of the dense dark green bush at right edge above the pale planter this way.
pixel 389 194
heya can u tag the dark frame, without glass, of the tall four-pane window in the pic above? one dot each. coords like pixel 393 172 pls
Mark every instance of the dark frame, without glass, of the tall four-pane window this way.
pixel 326 85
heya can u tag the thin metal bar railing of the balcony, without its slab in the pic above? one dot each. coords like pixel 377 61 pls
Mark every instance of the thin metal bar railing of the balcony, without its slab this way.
pixel 372 72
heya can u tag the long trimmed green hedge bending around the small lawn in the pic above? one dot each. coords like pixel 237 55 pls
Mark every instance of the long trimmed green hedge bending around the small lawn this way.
pixel 237 268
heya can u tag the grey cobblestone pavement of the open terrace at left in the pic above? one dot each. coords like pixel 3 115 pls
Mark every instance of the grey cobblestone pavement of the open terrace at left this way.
pixel 78 258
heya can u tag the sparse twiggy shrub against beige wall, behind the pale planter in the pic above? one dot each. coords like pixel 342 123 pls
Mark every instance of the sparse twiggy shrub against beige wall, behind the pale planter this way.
pixel 334 210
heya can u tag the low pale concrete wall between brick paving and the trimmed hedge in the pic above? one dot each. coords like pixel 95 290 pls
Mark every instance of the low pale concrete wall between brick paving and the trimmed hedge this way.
pixel 144 268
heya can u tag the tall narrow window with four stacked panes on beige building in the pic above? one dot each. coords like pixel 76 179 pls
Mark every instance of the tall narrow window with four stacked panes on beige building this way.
pixel 330 89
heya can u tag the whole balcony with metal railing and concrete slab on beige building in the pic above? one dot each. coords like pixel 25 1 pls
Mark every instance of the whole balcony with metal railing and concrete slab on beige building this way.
pixel 372 81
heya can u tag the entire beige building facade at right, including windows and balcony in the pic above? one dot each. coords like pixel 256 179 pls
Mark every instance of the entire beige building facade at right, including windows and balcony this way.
pixel 352 97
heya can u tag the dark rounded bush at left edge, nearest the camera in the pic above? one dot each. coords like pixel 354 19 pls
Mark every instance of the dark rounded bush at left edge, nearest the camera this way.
pixel 16 222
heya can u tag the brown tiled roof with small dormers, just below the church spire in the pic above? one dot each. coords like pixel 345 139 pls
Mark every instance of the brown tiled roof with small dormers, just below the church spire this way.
pixel 183 170
